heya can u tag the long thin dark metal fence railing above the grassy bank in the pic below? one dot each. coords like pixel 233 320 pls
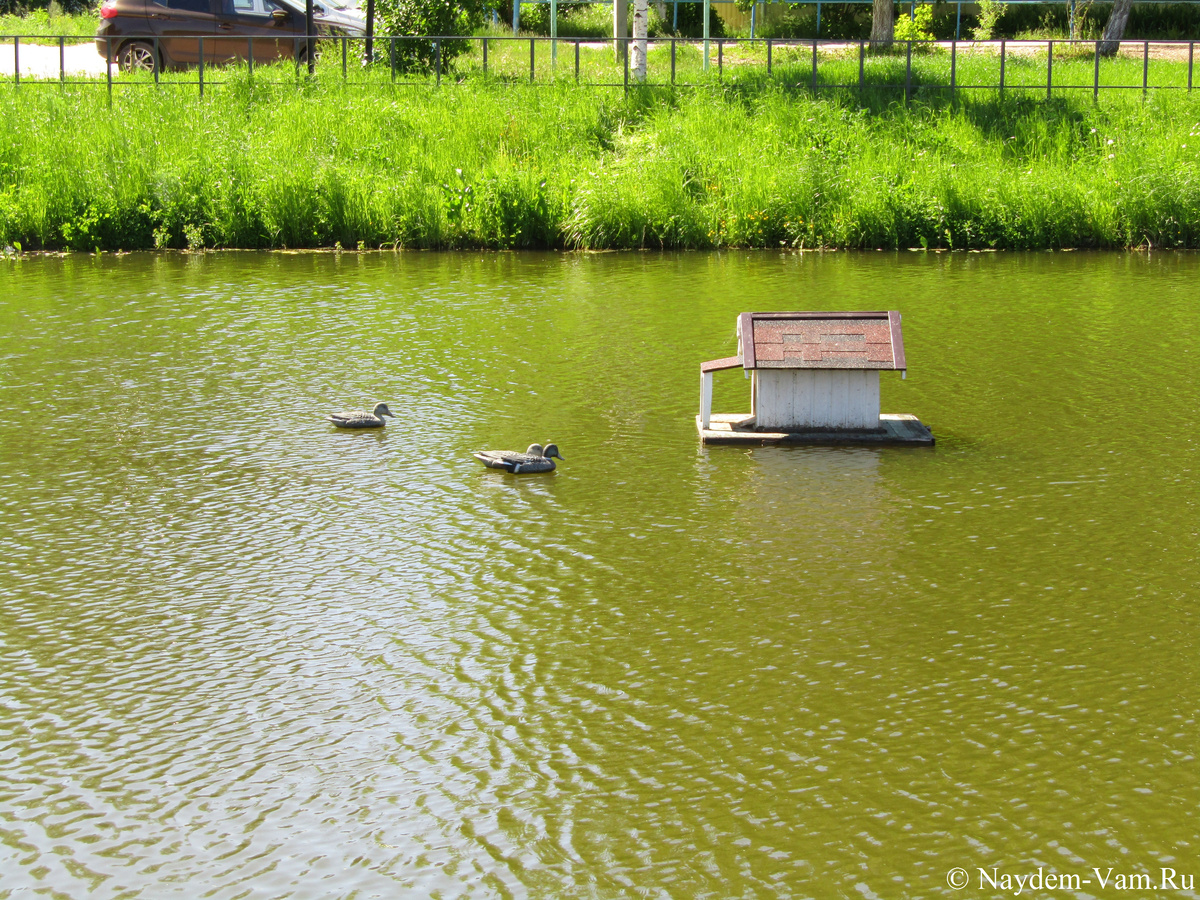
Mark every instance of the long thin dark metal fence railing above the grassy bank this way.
pixel 909 67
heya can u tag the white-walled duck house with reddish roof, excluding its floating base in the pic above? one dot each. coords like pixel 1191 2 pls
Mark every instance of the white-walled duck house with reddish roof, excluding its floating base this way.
pixel 813 371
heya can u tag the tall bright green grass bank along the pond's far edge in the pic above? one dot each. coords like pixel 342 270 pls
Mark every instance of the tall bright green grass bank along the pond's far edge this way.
pixel 501 166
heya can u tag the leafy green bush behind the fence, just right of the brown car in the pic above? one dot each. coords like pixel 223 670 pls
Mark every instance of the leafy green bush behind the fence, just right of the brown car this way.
pixel 428 17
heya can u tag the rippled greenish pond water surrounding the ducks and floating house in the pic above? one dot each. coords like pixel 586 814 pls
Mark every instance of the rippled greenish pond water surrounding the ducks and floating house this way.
pixel 243 655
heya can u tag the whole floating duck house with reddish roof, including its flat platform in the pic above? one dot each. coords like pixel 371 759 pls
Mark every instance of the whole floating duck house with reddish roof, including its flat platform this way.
pixel 814 379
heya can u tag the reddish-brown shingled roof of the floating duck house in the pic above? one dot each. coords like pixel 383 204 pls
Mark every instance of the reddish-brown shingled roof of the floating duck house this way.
pixel 820 340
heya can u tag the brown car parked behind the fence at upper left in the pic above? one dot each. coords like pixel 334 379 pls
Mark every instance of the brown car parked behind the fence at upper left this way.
pixel 166 34
